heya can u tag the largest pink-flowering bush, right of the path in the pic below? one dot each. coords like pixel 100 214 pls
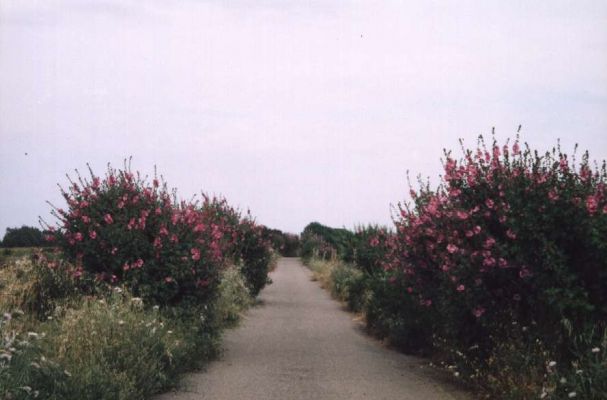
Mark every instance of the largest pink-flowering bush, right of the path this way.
pixel 510 238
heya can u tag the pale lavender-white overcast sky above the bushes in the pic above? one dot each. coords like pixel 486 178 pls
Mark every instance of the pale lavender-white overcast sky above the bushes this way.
pixel 297 110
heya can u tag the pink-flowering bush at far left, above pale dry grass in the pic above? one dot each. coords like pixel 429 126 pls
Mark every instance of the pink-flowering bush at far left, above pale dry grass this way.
pixel 122 229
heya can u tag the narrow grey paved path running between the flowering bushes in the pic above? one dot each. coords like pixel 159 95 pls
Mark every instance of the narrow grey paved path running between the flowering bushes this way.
pixel 300 344
